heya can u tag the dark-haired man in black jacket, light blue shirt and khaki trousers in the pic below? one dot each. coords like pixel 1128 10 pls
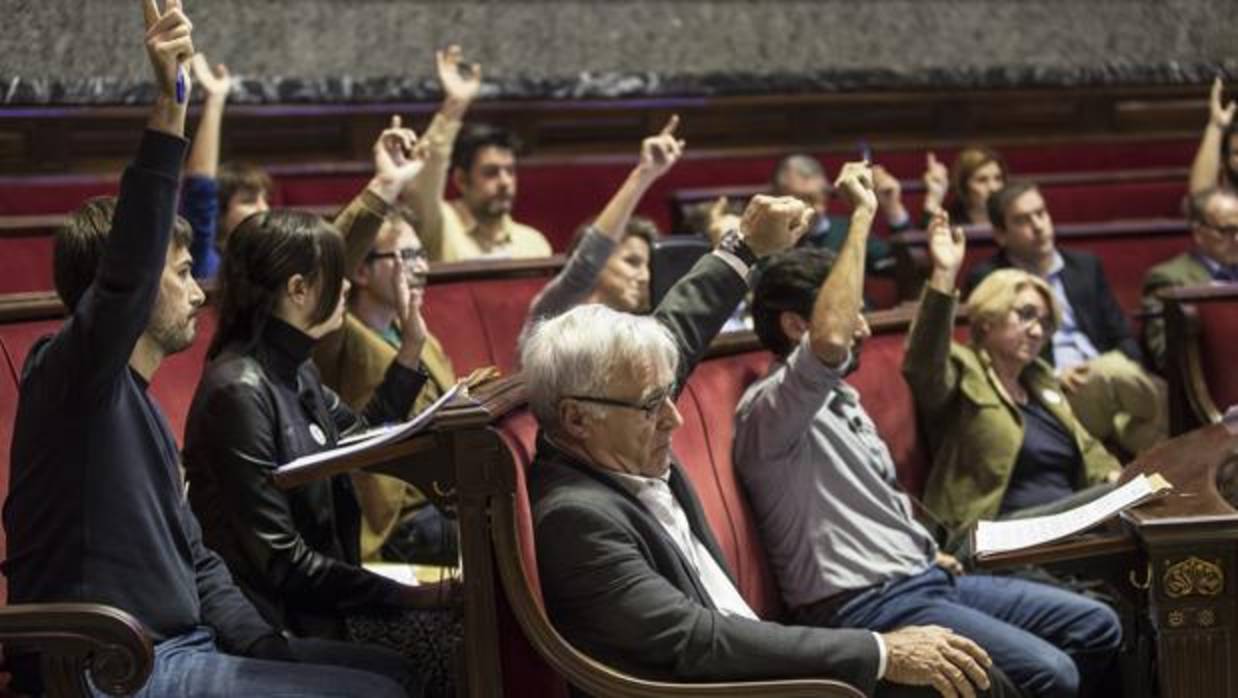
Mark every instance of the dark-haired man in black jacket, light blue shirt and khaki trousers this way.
pixel 1096 356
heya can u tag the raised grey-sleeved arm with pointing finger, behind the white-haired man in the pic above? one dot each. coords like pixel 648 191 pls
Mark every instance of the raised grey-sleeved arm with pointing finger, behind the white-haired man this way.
pixel 574 284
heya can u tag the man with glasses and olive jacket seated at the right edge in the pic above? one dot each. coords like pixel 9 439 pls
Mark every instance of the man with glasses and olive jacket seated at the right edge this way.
pixel 1214 216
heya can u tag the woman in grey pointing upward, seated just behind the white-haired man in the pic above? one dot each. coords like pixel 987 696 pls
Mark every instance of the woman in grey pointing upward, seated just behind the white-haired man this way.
pixel 610 259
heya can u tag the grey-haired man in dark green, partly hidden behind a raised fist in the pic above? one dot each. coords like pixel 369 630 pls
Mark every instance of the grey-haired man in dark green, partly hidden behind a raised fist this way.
pixel 802 176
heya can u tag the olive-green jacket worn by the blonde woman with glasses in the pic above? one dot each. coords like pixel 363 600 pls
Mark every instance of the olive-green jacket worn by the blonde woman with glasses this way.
pixel 977 429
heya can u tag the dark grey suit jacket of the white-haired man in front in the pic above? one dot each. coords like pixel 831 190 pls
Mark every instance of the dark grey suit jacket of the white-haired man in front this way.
pixel 618 588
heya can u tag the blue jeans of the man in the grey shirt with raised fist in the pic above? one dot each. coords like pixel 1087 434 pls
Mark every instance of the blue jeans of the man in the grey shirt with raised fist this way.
pixel 1049 642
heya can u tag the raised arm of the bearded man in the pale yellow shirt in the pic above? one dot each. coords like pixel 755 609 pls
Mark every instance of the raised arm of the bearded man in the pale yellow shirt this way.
pixel 461 85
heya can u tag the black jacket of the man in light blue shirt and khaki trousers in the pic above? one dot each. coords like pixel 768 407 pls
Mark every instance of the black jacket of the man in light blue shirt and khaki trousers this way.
pixel 1097 312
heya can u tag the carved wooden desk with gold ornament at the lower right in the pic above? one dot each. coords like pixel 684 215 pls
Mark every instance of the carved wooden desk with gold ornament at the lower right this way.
pixel 1177 561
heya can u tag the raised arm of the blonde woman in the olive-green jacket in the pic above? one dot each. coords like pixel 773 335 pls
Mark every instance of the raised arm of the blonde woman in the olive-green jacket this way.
pixel 927 363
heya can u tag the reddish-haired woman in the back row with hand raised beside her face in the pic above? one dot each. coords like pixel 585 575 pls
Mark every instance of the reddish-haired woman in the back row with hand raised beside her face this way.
pixel 977 173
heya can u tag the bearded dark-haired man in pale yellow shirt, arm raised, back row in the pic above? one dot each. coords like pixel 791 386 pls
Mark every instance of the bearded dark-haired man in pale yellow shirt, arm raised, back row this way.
pixel 483 168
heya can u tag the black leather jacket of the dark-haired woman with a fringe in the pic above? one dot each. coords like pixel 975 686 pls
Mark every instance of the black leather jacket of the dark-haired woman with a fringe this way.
pixel 295 554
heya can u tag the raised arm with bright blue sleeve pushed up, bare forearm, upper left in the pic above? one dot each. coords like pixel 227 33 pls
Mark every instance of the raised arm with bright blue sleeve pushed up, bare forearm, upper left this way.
pixel 200 195
